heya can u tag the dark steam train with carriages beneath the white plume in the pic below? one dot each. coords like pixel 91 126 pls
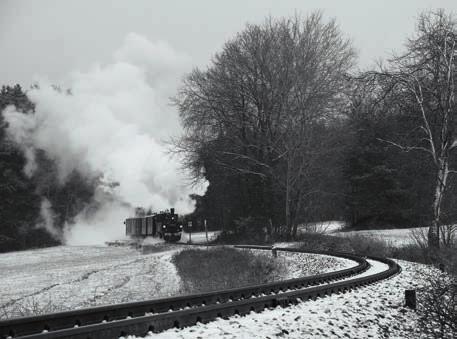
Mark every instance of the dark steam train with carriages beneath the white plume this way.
pixel 163 225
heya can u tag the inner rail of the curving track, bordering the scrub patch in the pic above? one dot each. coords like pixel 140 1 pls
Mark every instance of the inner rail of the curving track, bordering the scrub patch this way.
pixel 82 317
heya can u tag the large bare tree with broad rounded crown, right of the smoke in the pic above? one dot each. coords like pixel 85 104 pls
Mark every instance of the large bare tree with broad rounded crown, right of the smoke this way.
pixel 260 101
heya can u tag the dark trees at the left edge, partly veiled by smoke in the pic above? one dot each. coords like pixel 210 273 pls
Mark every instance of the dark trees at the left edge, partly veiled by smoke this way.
pixel 26 220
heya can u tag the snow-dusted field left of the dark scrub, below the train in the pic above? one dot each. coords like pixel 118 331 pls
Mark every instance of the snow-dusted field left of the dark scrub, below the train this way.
pixel 69 277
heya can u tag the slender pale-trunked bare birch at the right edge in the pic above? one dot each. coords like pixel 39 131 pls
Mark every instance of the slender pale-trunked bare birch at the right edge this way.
pixel 422 82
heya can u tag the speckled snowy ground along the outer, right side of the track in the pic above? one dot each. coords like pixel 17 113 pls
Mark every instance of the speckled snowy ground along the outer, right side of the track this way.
pixel 375 311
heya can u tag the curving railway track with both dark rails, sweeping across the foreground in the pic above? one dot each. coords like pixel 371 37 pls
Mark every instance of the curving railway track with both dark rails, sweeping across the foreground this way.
pixel 139 318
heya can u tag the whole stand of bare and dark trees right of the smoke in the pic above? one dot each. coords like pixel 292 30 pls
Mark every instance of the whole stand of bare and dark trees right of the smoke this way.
pixel 286 130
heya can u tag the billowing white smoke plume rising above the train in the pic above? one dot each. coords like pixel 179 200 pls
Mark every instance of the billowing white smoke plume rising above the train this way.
pixel 114 122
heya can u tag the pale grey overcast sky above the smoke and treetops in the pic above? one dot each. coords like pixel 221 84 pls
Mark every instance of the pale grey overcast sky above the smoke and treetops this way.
pixel 51 38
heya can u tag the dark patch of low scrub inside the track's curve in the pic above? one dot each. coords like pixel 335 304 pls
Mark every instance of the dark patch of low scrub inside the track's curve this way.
pixel 203 270
